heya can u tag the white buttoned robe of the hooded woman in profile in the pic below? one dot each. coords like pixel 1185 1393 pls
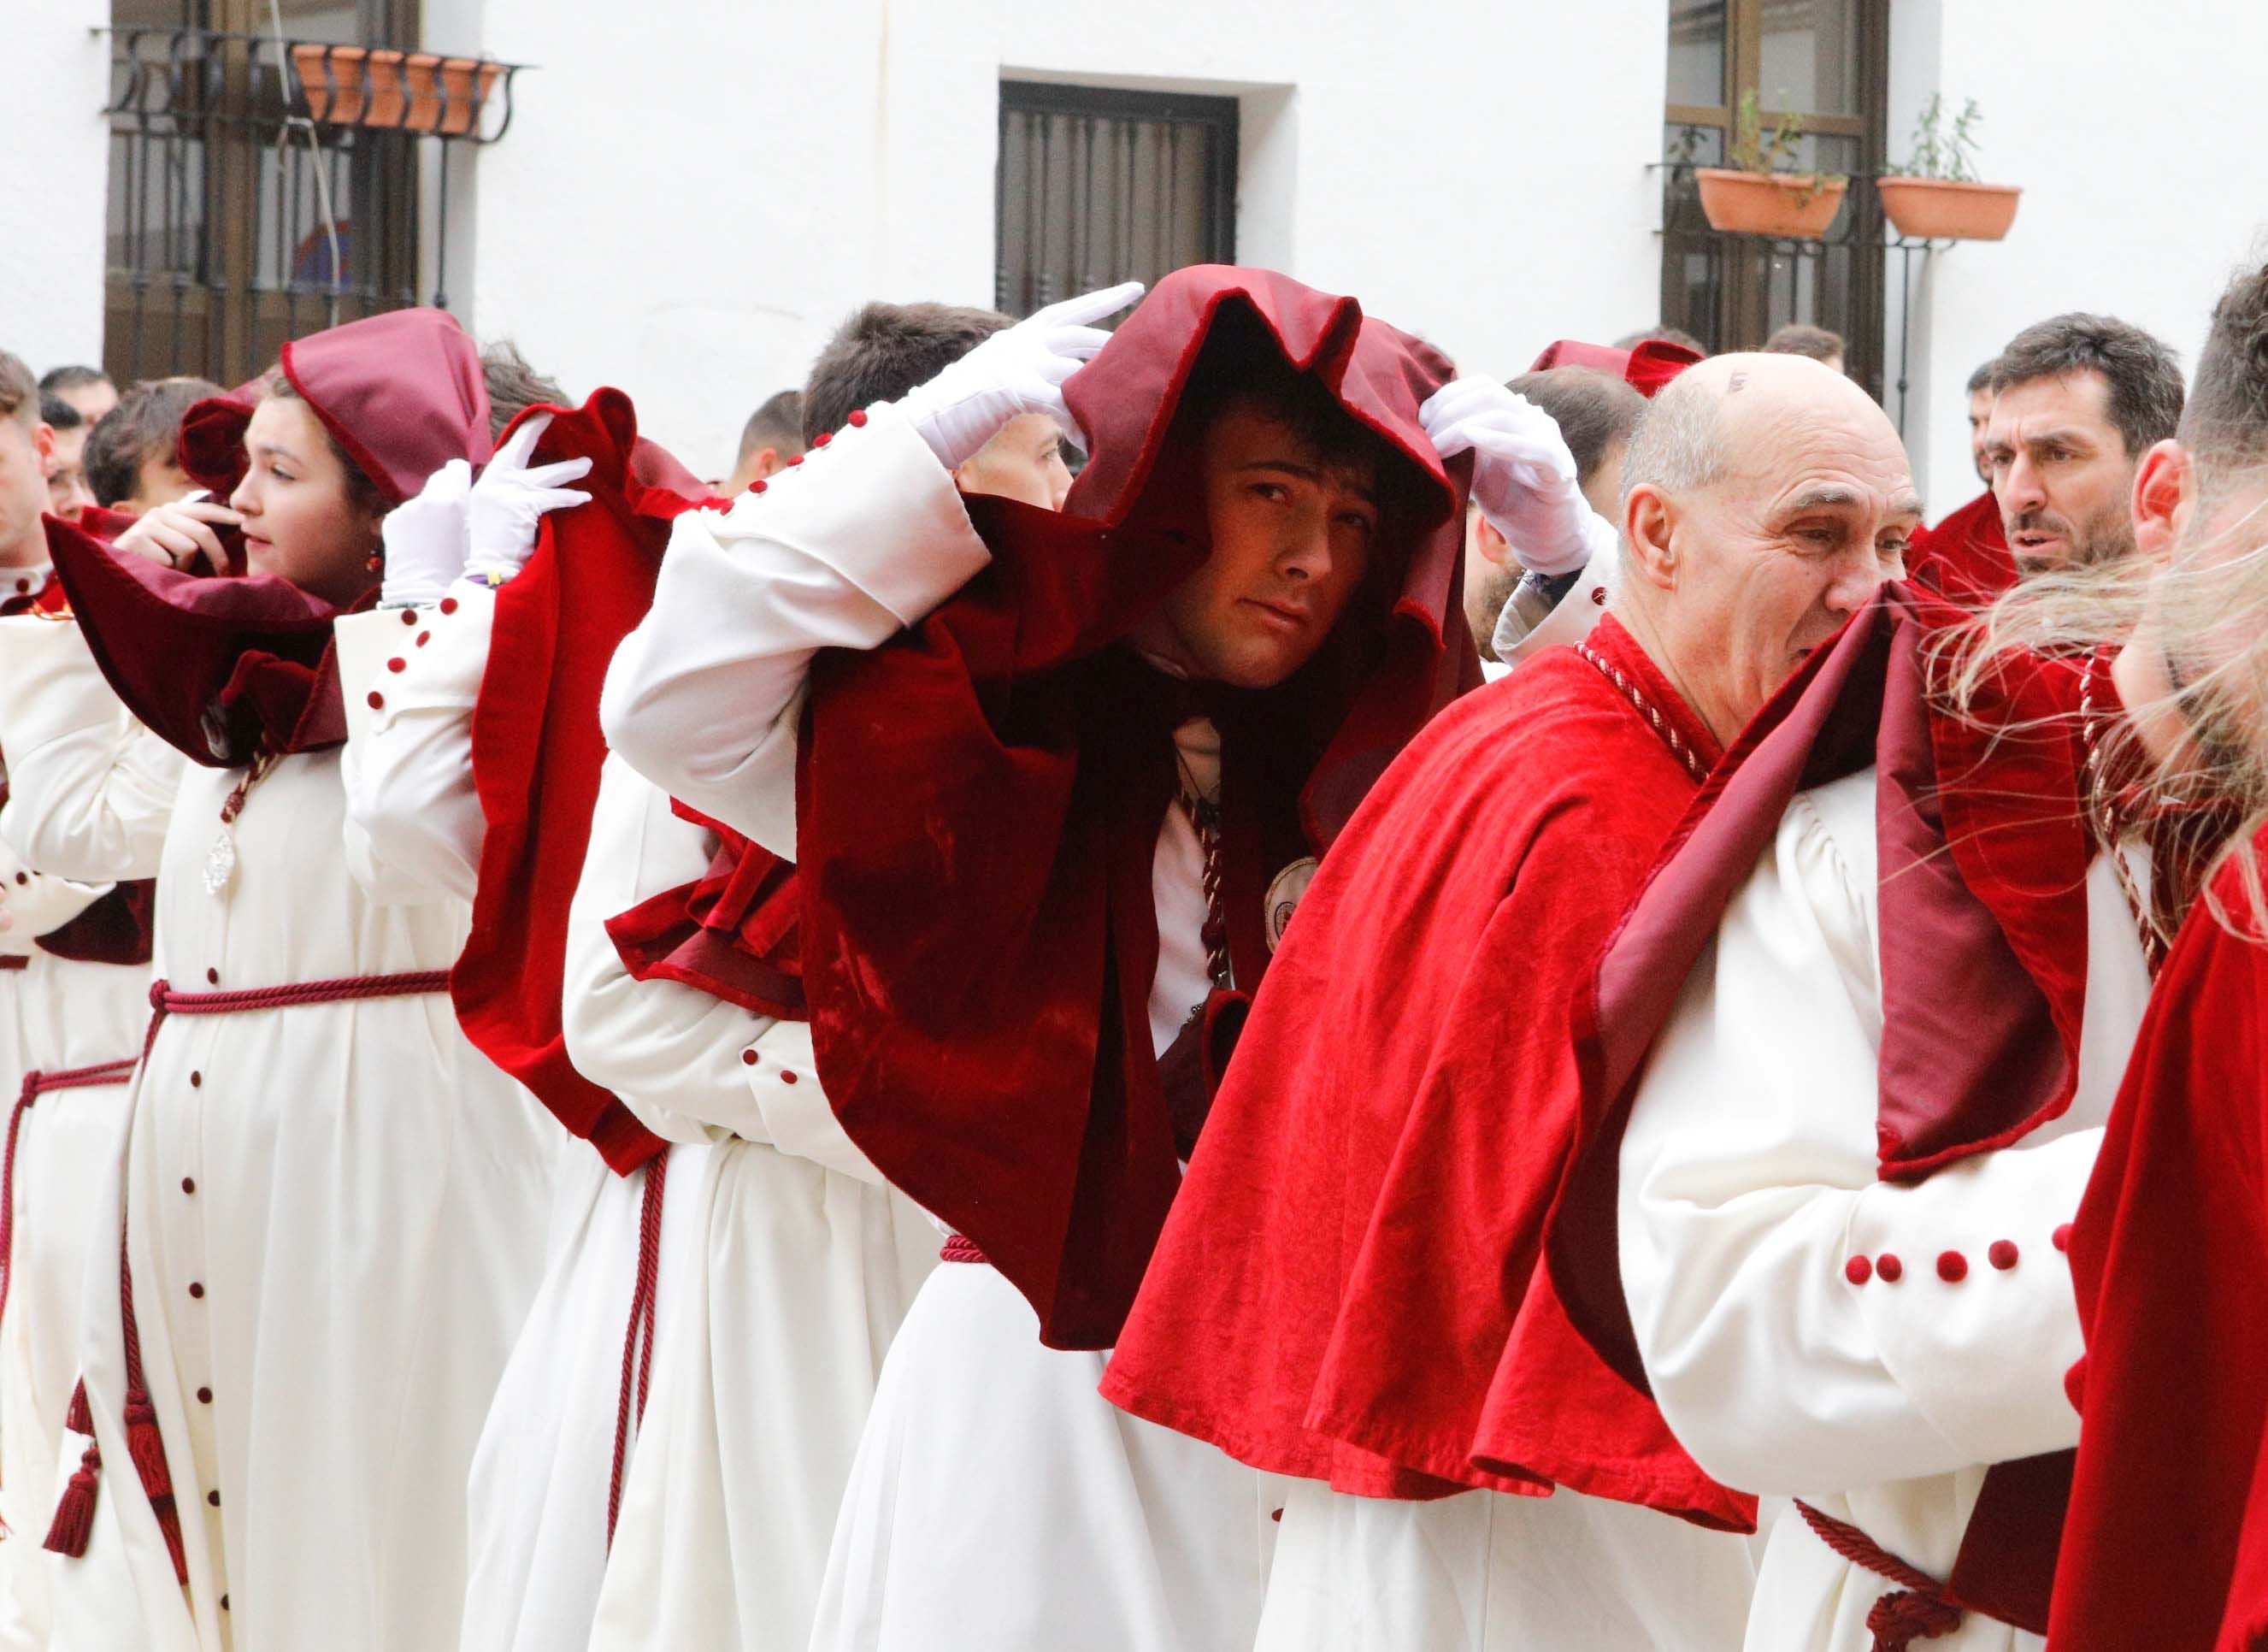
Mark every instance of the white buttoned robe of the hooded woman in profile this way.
pixel 335 1213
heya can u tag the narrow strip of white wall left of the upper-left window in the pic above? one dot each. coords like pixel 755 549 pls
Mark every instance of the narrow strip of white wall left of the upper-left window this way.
pixel 53 178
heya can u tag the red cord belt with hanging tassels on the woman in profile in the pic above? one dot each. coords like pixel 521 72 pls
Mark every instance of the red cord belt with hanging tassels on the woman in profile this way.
pixel 76 1510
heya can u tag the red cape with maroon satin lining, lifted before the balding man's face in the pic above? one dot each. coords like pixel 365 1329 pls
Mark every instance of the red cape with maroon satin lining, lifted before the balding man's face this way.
pixel 1983 920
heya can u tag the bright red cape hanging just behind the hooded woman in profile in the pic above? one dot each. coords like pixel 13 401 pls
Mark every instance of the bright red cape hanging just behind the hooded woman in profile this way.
pixel 536 757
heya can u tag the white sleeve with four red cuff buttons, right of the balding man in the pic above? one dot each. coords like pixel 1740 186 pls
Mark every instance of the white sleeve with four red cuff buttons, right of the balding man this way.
pixel 1750 1192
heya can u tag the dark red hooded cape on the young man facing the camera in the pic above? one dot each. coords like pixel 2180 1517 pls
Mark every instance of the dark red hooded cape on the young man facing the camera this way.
pixel 981 800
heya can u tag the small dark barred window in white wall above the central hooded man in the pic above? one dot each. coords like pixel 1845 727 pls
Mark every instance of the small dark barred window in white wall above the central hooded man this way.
pixel 1099 187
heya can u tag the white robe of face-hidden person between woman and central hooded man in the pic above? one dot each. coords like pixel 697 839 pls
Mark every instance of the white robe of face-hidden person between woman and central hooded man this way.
pixel 784 1301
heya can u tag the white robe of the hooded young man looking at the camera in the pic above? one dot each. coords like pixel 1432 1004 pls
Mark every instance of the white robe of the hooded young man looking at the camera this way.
pixel 997 1499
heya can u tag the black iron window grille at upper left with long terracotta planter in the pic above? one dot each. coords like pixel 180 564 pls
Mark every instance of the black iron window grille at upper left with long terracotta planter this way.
pixel 266 187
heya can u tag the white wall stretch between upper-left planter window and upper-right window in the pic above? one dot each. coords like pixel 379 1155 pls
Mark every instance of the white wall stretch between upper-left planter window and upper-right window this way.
pixel 695 192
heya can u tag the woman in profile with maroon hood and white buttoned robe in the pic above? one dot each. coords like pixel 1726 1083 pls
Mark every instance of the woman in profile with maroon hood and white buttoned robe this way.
pixel 330 1202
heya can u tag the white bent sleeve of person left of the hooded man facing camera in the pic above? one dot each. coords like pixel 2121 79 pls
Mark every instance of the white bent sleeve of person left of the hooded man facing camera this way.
pixel 686 1063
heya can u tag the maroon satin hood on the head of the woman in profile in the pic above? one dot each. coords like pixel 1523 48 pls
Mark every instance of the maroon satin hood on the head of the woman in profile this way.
pixel 403 394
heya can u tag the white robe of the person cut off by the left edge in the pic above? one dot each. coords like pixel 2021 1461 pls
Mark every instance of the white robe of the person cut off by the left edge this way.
pixel 56 1015
